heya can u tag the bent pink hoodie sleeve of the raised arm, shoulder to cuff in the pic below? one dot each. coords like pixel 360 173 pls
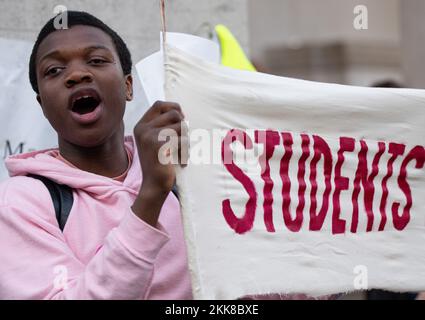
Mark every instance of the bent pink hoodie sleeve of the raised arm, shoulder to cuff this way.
pixel 36 262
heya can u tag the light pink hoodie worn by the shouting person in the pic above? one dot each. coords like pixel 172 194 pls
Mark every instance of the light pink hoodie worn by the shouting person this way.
pixel 105 251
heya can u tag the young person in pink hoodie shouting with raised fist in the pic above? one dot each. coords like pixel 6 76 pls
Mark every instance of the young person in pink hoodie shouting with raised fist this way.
pixel 123 238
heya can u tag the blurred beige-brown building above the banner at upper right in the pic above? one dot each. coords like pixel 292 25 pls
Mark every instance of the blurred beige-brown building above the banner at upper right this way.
pixel 317 40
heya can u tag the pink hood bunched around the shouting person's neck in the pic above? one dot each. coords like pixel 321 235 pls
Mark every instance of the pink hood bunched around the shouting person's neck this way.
pixel 43 163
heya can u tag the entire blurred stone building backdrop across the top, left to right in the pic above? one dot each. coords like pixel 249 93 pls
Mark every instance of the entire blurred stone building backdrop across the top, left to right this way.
pixel 306 39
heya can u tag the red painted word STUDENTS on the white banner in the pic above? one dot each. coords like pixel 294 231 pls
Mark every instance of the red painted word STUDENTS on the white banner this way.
pixel 366 178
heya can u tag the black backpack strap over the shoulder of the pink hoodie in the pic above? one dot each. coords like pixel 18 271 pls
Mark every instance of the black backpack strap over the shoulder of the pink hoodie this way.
pixel 61 196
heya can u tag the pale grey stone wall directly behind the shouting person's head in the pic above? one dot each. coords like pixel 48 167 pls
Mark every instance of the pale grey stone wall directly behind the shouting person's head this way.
pixel 137 21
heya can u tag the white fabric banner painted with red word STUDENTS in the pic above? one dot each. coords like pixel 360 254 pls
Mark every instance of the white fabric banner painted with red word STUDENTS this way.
pixel 296 186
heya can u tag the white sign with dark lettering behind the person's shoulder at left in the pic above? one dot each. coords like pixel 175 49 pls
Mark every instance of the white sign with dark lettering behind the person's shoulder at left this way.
pixel 22 124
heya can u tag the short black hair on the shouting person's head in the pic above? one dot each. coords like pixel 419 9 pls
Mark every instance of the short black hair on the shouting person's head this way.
pixel 80 18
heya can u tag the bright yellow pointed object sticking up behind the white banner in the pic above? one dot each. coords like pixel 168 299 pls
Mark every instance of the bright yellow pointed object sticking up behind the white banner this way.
pixel 232 54
